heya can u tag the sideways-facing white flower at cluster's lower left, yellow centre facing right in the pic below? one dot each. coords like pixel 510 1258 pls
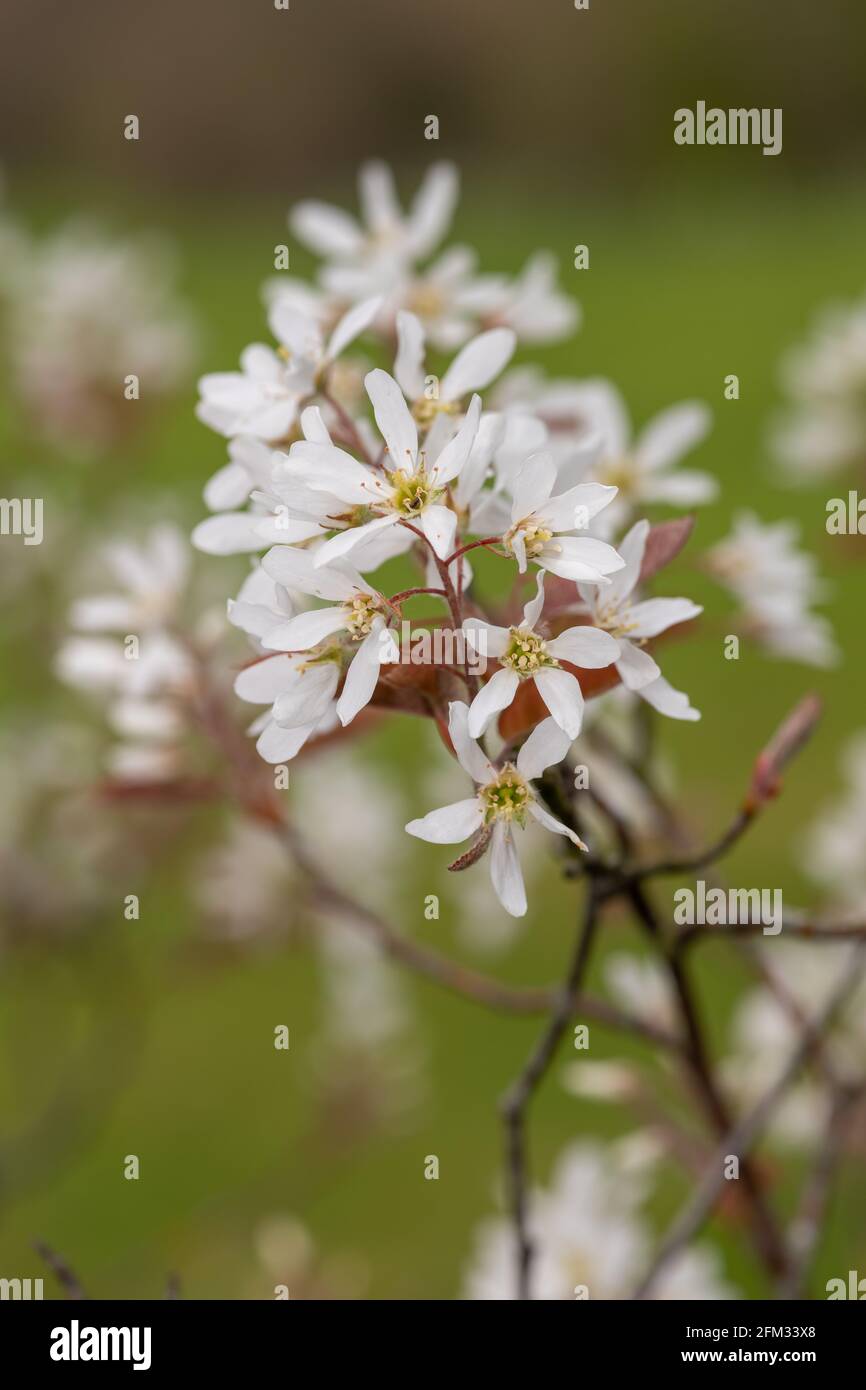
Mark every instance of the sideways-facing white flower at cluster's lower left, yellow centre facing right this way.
pixel 361 612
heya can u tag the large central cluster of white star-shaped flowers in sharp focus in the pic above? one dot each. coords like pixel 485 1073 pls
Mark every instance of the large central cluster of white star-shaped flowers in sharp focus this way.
pixel 333 484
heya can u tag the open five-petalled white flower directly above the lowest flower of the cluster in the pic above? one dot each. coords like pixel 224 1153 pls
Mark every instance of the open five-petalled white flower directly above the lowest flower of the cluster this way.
pixel 525 655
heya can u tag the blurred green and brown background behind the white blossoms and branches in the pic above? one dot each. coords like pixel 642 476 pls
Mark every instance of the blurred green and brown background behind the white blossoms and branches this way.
pixel 136 1038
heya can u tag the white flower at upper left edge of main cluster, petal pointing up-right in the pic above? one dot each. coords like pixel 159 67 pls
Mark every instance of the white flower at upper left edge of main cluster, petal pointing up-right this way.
pixel 265 398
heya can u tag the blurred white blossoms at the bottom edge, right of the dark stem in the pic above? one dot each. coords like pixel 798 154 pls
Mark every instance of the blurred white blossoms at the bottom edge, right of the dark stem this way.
pixel 590 1238
